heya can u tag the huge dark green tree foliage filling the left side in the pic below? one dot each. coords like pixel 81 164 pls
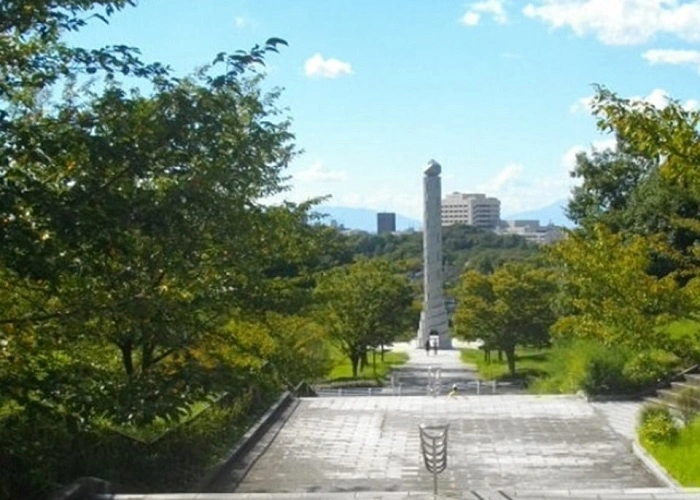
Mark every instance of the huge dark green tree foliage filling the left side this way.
pixel 130 223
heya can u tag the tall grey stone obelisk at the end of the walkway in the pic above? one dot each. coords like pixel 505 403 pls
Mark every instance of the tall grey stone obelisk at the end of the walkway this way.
pixel 433 318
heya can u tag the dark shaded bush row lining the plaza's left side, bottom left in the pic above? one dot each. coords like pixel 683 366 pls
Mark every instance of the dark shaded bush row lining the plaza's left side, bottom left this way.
pixel 40 452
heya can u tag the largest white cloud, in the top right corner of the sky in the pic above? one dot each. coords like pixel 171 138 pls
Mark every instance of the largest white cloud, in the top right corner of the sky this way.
pixel 621 22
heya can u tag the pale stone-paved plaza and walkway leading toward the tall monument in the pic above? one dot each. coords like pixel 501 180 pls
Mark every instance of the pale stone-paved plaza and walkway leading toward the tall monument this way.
pixel 508 442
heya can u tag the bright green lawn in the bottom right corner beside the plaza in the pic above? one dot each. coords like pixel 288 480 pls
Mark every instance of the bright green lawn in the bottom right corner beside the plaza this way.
pixel 681 459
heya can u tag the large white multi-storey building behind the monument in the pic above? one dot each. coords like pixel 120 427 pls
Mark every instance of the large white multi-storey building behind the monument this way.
pixel 474 209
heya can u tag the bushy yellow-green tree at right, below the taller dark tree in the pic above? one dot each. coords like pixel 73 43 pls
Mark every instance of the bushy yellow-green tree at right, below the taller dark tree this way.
pixel 608 294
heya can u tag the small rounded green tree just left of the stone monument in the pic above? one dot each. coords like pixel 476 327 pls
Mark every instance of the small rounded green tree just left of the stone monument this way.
pixel 363 305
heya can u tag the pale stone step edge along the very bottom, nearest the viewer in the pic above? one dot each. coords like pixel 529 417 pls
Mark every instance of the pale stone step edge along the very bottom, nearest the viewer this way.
pixel 600 494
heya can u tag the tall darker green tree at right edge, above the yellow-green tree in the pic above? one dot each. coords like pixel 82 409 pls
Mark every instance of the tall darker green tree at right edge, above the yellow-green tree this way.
pixel 648 185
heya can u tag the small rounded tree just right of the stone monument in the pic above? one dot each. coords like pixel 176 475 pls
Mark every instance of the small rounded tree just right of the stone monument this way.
pixel 506 309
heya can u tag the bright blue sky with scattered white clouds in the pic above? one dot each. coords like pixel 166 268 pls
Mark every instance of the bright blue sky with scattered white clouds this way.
pixel 493 90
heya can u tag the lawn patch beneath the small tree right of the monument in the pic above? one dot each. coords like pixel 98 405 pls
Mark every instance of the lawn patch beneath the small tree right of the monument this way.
pixel 530 364
